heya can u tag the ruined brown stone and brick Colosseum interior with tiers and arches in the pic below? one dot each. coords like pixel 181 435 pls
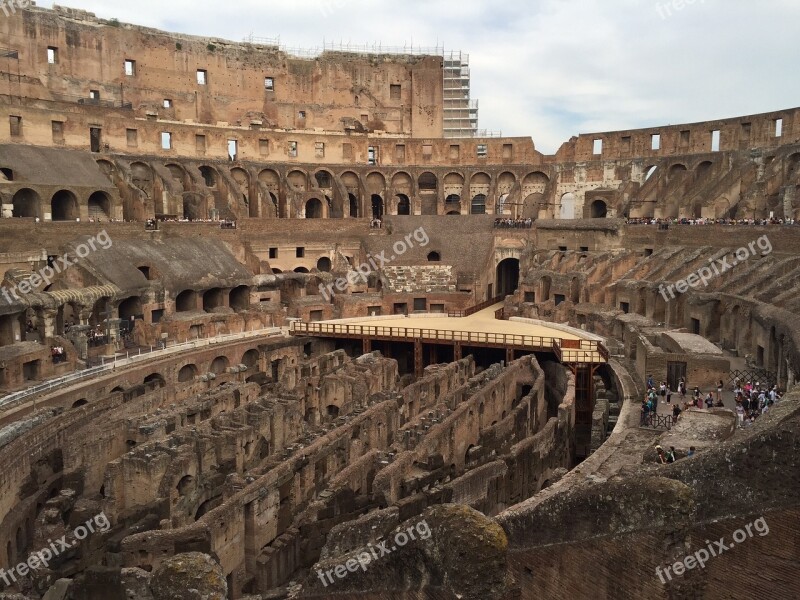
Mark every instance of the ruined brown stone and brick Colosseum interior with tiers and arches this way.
pixel 272 328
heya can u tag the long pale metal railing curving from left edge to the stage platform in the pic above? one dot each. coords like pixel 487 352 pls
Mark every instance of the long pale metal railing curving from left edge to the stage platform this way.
pixel 129 359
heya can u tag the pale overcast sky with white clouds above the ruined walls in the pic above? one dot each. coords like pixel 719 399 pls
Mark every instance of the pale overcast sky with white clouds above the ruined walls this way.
pixel 548 69
